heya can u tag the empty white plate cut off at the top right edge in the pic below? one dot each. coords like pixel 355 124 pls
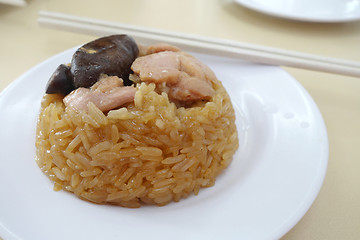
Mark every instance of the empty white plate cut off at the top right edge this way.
pixel 308 10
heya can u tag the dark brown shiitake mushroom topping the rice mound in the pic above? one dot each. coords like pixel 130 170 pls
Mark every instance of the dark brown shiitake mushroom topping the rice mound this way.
pixel 111 55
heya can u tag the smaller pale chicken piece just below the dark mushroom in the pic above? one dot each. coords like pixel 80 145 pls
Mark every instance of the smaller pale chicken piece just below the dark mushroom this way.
pixel 108 93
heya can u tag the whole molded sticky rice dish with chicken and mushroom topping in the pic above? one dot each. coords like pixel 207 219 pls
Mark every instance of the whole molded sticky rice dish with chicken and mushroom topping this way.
pixel 142 125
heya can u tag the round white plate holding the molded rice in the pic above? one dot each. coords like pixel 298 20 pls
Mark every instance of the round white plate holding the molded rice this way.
pixel 271 183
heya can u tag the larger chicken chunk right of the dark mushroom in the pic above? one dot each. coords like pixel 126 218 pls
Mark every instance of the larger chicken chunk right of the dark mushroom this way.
pixel 187 79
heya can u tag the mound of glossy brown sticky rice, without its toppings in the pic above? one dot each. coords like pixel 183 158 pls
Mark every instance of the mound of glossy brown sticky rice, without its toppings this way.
pixel 148 152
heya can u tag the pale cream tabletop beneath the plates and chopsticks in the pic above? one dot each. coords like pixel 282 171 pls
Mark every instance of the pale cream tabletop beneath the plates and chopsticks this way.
pixel 335 214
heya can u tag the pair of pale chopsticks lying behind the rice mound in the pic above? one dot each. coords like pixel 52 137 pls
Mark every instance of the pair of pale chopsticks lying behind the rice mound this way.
pixel 194 43
